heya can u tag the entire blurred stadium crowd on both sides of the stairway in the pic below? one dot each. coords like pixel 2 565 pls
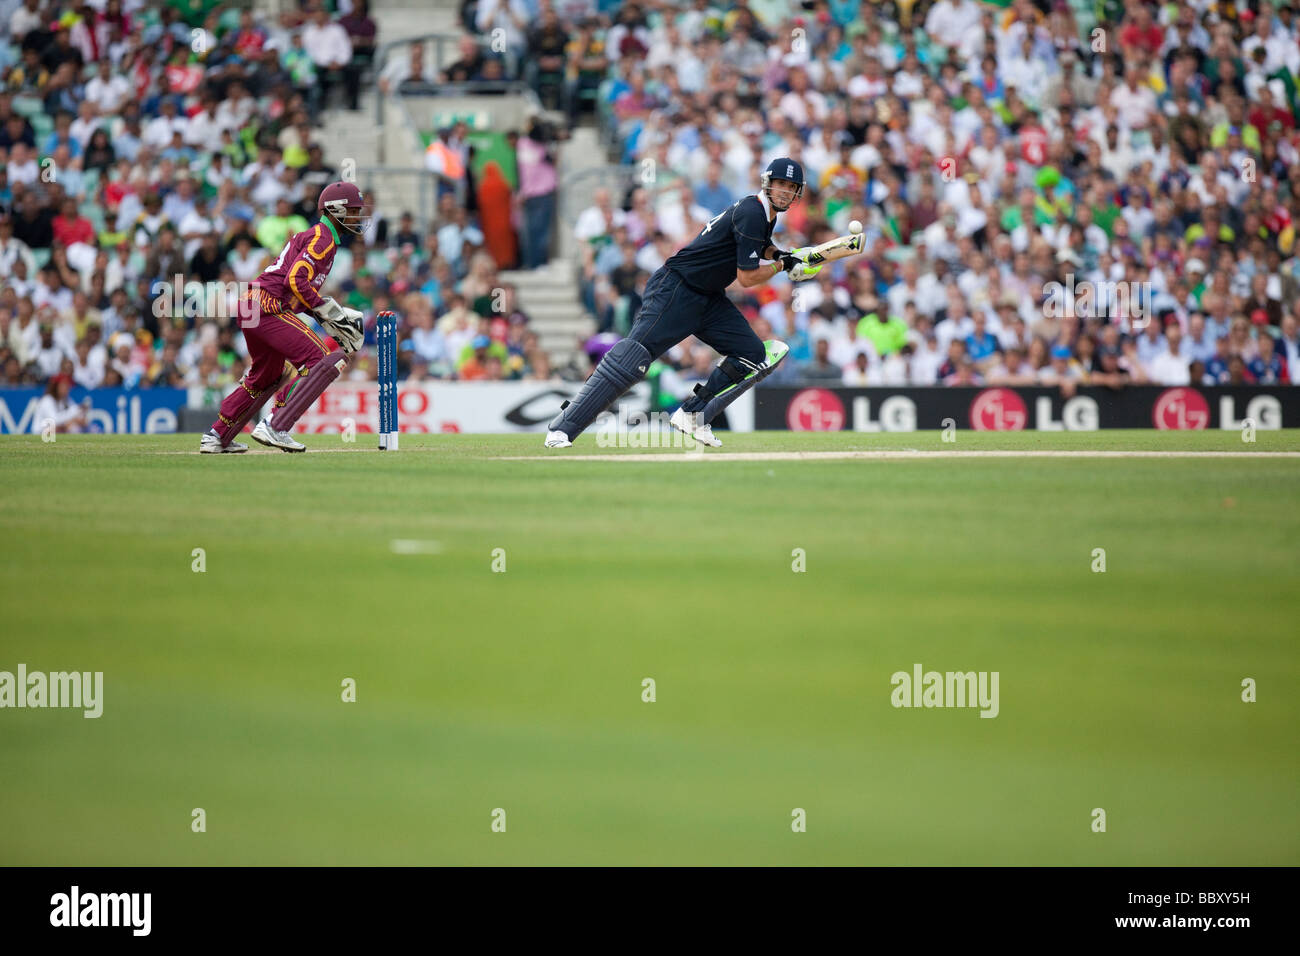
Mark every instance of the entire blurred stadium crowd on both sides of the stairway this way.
pixel 1011 165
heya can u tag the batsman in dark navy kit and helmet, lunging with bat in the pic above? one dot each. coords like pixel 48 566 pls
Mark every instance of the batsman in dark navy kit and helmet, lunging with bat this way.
pixel 686 297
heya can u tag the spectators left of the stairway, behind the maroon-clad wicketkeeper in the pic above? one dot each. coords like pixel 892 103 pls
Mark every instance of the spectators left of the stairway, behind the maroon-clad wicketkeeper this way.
pixel 148 148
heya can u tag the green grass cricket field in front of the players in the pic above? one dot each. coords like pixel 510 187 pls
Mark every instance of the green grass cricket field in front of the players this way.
pixel 523 690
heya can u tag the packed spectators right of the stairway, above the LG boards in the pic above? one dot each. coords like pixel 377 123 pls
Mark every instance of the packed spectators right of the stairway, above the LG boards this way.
pixel 1054 193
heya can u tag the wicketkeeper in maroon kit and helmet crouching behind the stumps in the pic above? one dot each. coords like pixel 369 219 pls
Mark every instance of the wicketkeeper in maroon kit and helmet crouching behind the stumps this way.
pixel 288 360
